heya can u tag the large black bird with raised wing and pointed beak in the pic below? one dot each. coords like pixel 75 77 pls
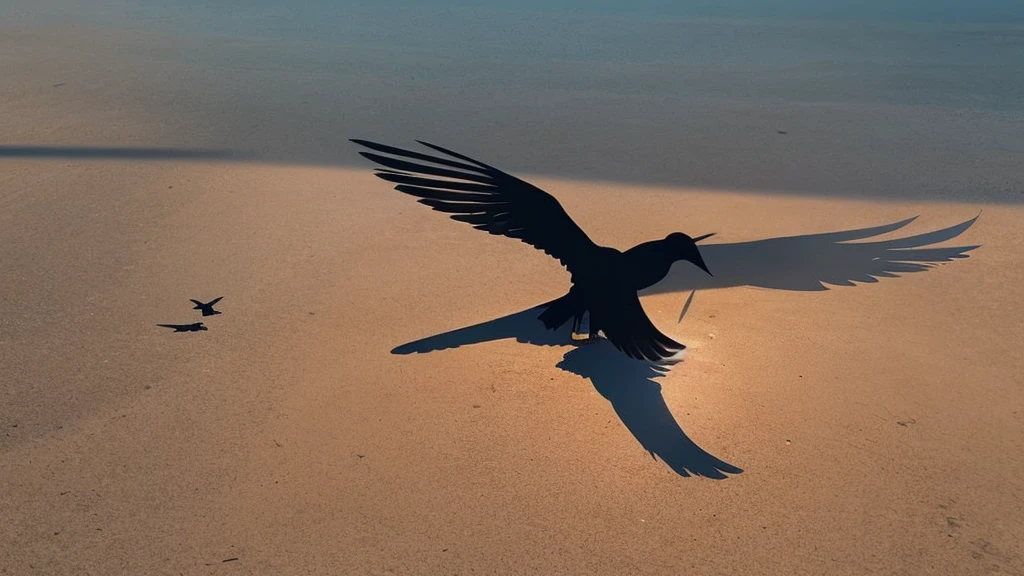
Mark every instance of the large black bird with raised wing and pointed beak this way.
pixel 606 281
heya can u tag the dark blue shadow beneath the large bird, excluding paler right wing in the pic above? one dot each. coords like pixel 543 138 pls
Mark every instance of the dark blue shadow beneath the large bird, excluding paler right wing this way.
pixel 629 385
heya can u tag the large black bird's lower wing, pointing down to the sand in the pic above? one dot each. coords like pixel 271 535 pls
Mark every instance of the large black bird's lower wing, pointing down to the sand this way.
pixel 619 314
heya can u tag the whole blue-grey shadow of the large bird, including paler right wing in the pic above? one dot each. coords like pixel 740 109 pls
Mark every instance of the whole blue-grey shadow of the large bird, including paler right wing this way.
pixel 799 263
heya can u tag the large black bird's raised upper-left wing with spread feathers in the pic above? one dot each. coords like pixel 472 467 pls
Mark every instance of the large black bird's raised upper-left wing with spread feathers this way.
pixel 485 197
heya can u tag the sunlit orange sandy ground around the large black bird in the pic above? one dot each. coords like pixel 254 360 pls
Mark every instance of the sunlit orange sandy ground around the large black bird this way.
pixel 879 428
